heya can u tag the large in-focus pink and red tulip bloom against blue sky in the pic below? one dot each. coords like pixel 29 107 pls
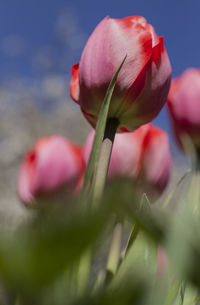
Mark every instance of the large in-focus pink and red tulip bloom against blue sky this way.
pixel 143 82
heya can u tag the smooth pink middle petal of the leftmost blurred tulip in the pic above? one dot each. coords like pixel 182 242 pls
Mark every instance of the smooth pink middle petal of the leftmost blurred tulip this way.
pixel 56 157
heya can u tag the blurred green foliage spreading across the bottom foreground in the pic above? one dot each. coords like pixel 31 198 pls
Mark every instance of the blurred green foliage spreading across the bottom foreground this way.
pixel 39 262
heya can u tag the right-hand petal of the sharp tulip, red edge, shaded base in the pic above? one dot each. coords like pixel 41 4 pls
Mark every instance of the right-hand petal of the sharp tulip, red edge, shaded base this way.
pixel 155 78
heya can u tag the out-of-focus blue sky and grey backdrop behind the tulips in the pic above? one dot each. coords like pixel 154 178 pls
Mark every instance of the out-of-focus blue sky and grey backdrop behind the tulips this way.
pixel 39 41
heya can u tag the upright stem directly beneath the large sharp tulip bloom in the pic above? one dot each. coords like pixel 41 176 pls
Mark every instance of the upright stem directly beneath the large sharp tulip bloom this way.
pixel 101 171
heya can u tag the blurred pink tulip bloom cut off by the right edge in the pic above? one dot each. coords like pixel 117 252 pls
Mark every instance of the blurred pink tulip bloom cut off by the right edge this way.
pixel 184 106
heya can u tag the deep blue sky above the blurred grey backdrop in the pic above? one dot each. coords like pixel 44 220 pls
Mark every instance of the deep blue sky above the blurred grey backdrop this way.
pixel 32 23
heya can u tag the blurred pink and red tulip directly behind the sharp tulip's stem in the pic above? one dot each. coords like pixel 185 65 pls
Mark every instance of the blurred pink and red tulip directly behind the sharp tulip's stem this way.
pixel 143 154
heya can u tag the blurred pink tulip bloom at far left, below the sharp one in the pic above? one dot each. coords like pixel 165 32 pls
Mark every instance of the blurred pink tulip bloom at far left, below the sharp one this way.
pixel 52 166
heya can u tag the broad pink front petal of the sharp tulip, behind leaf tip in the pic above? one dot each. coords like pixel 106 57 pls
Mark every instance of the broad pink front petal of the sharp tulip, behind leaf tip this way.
pixel 104 51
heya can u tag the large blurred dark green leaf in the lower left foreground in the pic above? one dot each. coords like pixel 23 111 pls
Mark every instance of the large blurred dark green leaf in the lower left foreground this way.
pixel 38 253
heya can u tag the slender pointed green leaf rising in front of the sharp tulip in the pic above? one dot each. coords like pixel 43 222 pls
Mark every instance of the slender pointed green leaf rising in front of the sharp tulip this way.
pixel 100 129
